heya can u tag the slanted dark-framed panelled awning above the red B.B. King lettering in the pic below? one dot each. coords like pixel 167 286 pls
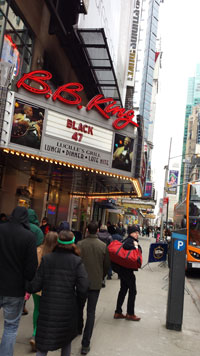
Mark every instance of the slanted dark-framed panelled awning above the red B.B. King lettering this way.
pixel 95 46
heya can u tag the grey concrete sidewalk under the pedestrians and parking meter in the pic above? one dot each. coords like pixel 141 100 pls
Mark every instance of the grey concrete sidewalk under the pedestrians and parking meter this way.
pixel 147 337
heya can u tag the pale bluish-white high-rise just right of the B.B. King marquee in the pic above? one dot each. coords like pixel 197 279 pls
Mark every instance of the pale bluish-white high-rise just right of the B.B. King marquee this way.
pixel 147 74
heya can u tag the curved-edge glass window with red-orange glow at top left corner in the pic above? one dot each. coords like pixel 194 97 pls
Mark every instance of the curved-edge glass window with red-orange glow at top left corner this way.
pixel 16 46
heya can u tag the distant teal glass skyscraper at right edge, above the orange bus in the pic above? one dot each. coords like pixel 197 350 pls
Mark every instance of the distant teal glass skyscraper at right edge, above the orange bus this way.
pixel 193 98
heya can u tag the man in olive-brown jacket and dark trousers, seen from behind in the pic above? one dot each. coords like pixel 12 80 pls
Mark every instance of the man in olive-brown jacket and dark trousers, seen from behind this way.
pixel 97 262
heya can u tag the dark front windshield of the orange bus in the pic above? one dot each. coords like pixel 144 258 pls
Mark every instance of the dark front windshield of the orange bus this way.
pixel 194 224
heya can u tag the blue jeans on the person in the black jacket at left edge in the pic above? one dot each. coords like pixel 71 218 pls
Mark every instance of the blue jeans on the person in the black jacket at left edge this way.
pixel 12 310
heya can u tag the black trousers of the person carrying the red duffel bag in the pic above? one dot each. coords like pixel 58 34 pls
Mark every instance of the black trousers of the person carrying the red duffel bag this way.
pixel 127 284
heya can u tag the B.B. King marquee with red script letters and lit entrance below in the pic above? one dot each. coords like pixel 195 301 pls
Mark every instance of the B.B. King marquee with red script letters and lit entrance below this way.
pixel 62 158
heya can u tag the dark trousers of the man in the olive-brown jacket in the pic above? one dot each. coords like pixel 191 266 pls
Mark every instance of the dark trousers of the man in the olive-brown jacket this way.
pixel 92 300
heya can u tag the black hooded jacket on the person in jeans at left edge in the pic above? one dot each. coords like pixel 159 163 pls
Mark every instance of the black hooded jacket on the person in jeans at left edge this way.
pixel 18 255
